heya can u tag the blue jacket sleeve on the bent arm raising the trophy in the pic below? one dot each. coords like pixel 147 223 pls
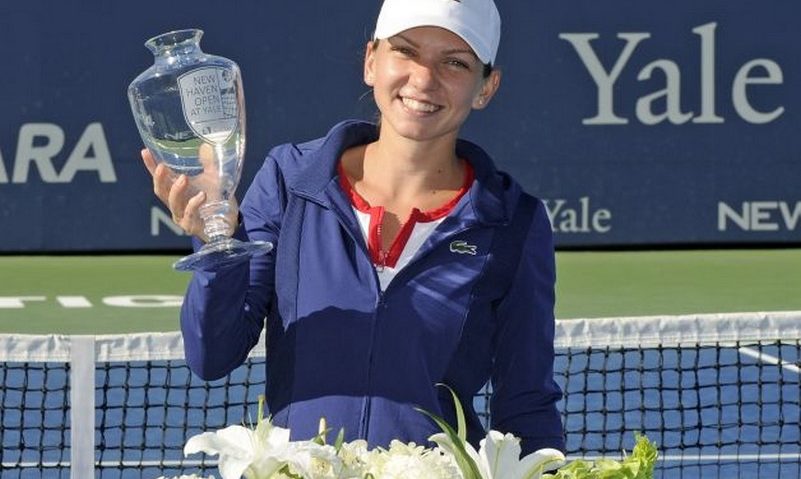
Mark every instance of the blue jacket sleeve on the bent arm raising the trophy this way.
pixel 224 309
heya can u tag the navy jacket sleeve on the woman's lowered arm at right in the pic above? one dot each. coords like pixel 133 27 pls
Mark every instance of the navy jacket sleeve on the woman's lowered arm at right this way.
pixel 524 391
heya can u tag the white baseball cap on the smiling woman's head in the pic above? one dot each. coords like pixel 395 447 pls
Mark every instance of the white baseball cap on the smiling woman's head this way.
pixel 476 21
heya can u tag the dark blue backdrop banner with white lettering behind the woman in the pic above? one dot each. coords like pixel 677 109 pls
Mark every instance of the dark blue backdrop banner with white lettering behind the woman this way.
pixel 639 123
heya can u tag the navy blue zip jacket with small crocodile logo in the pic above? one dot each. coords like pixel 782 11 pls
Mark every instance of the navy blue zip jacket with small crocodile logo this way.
pixel 339 348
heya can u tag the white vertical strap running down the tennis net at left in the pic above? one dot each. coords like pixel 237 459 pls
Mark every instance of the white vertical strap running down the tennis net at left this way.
pixel 82 406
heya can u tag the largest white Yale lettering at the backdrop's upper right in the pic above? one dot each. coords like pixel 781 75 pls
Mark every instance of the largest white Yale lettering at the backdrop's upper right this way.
pixel 605 82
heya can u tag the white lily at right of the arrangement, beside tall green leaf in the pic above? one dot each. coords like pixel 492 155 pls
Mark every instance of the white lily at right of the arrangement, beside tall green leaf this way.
pixel 499 457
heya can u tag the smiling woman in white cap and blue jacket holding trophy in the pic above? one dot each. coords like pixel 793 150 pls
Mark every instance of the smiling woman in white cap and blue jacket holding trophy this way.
pixel 403 258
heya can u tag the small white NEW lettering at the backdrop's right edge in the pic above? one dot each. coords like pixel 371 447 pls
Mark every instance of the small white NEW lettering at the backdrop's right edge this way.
pixel 760 216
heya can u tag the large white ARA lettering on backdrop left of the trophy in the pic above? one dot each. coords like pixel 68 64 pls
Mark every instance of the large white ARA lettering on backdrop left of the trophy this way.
pixel 38 144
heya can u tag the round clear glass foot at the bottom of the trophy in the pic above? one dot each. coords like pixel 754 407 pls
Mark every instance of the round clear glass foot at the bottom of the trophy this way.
pixel 224 253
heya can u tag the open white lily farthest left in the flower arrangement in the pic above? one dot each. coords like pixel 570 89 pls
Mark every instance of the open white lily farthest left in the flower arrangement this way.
pixel 244 452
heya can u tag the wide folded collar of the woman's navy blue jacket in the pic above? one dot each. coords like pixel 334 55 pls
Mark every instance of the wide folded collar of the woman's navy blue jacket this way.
pixel 490 197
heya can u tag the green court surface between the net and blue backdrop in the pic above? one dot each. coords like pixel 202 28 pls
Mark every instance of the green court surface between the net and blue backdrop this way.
pixel 125 294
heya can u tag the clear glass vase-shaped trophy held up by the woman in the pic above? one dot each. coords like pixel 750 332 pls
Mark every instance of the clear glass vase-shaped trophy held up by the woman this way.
pixel 190 111
